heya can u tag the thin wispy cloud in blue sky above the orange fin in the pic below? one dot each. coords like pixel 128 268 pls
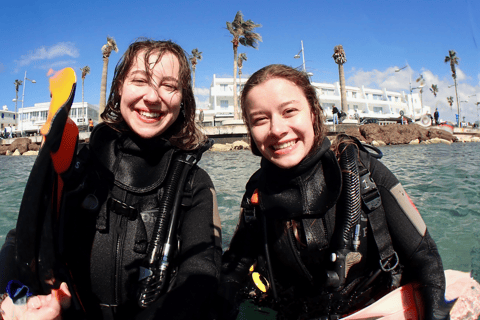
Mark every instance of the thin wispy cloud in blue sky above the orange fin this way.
pixel 45 53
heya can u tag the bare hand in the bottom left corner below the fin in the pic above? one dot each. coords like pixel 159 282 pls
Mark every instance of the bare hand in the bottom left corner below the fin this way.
pixel 45 307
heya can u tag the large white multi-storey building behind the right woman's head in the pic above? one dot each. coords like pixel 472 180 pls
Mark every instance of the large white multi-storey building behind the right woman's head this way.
pixel 362 102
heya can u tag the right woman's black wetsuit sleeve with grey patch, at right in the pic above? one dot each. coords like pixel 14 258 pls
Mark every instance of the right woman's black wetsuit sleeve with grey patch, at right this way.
pixel 416 249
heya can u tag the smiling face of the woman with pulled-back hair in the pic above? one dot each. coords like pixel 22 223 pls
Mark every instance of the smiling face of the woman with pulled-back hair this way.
pixel 280 121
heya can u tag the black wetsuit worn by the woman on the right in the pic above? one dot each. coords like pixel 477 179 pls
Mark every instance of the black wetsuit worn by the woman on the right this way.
pixel 302 208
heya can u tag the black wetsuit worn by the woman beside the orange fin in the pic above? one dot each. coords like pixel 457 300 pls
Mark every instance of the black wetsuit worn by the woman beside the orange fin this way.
pixel 106 245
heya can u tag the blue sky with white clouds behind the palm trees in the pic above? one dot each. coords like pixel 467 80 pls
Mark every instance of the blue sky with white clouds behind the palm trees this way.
pixel 378 37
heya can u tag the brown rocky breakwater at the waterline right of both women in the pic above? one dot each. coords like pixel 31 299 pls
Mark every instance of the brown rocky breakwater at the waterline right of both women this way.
pixel 395 134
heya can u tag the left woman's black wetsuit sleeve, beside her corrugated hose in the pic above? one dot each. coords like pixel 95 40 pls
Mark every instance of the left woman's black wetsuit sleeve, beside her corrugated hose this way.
pixel 198 259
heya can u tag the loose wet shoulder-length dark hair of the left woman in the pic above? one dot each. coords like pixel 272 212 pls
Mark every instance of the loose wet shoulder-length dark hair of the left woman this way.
pixel 183 133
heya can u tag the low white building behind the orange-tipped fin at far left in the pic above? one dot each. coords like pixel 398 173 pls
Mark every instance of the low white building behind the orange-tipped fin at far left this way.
pixel 31 119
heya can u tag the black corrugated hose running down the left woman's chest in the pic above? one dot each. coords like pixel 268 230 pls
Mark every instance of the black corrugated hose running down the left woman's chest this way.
pixel 154 272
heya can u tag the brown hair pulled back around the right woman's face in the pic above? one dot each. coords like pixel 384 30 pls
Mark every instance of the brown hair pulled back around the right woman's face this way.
pixel 300 79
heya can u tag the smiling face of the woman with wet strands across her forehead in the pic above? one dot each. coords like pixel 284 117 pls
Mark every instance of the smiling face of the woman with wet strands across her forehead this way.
pixel 151 97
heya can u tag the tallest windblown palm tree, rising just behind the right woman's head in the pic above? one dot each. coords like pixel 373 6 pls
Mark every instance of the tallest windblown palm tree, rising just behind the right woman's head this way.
pixel 243 34
